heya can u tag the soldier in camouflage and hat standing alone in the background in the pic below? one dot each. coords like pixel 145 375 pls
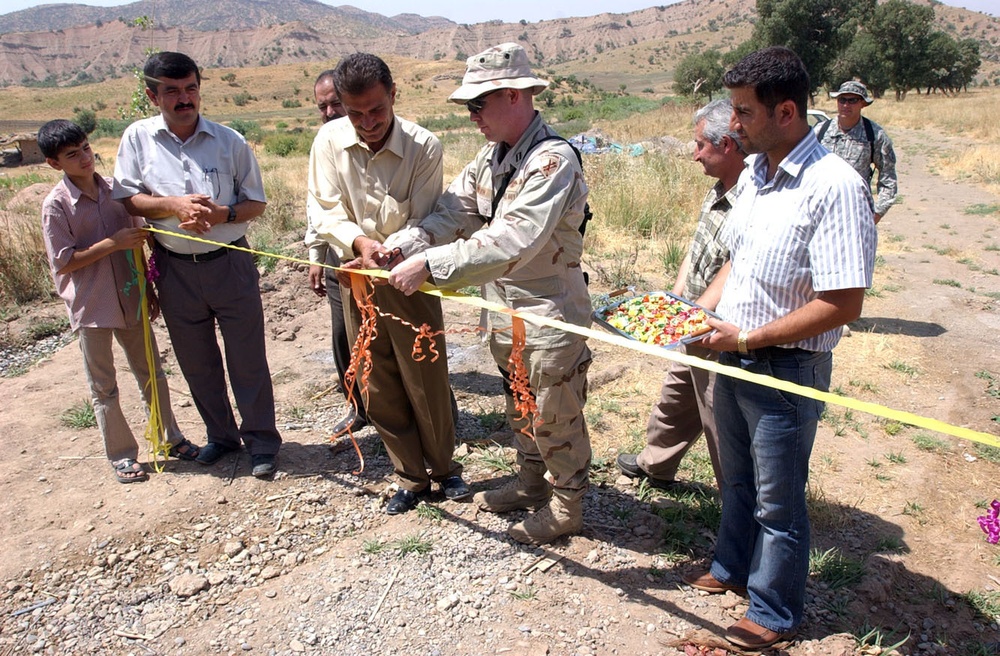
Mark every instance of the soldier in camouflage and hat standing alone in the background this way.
pixel 861 142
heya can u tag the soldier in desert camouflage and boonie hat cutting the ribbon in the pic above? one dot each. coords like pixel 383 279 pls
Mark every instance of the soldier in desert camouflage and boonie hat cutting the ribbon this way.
pixel 512 221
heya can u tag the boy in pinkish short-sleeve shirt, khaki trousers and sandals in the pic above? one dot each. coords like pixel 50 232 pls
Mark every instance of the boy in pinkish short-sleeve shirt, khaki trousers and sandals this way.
pixel 87 236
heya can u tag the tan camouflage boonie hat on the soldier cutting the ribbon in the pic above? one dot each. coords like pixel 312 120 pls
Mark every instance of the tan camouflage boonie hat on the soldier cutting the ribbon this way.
pixel 505 66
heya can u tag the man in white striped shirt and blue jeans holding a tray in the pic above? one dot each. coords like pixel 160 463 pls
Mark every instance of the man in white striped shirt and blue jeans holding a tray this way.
pixel 802 240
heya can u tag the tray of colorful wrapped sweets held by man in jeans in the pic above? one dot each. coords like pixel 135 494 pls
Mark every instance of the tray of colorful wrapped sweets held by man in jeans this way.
pixel 658 318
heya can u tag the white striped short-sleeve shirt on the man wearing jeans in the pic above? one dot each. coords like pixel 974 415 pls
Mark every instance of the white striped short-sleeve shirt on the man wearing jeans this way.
pixel 808 230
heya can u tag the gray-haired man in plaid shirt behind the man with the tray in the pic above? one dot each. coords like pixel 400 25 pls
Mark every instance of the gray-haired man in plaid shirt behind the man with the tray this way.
pixel 685 407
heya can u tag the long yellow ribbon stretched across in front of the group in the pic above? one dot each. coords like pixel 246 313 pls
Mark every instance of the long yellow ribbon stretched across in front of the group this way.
pixel 660 352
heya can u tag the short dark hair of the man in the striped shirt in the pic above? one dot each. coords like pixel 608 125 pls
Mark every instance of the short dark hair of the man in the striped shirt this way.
pixel 776 74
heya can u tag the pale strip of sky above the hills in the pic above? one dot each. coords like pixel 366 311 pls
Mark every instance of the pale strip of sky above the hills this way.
pixel 511 11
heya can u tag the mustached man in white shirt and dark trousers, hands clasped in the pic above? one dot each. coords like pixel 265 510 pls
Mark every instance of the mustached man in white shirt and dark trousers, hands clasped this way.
pixel 188 175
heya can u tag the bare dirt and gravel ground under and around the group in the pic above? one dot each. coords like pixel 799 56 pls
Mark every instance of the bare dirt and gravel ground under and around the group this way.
pixel 294 565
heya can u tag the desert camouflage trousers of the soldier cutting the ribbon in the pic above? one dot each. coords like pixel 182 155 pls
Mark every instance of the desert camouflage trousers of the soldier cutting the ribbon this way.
pixel 558 380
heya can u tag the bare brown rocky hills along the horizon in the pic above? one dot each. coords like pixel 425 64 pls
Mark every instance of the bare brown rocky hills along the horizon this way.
pixel 39 47
